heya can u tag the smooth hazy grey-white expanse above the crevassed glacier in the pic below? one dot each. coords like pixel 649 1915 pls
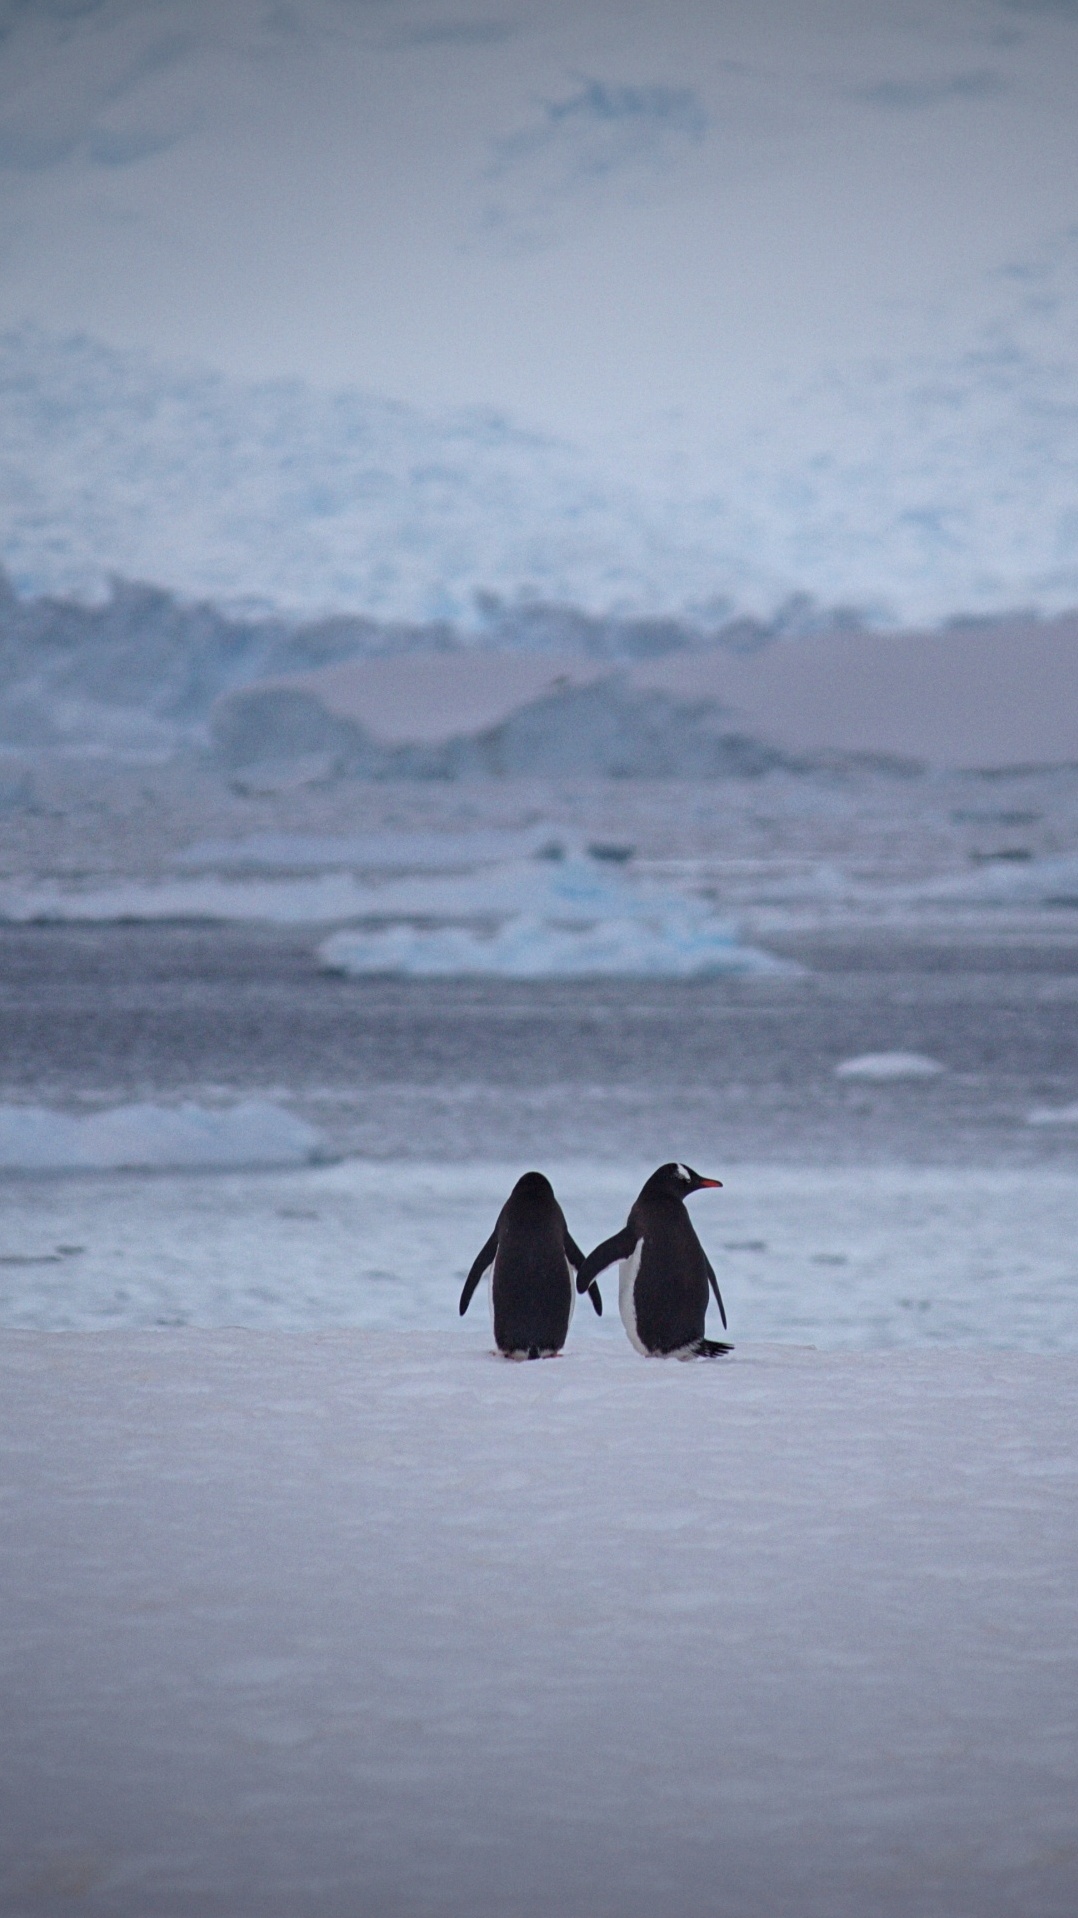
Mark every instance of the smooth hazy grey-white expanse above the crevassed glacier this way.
pixel 590 214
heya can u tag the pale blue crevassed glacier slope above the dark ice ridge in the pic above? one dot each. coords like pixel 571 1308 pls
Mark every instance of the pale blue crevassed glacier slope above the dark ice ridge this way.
pixel 914 490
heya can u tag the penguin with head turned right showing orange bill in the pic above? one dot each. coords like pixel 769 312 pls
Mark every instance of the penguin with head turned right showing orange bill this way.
pixel 665 1271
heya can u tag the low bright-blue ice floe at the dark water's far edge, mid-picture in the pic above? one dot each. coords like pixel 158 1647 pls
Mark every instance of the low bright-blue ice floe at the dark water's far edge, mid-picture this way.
pixel 672 947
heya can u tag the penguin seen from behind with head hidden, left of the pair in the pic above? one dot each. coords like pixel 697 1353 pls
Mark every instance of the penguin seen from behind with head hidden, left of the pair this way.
pixel 530 1261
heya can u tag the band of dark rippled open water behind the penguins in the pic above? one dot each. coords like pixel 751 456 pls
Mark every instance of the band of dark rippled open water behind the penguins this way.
pixel 500 1069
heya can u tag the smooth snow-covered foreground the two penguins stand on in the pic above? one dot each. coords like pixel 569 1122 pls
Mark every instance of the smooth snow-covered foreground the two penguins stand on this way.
pixel 316 1624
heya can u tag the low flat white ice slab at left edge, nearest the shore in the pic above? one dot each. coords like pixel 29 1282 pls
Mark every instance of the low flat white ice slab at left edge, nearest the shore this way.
pixel 154 1136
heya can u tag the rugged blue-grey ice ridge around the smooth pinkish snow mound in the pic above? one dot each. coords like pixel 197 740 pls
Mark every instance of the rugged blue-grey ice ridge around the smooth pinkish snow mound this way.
pixel 143 670
